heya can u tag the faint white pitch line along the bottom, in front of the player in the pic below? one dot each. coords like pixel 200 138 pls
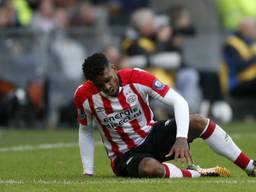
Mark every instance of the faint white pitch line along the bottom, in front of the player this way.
pixel 228 181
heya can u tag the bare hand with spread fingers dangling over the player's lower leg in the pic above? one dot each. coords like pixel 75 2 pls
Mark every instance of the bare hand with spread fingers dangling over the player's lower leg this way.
pixel 181 151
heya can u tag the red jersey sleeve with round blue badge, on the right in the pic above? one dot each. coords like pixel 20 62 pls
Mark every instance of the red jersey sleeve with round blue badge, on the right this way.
pixel 154 86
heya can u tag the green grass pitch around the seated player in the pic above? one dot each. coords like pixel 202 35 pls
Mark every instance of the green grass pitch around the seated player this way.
pixel 28 164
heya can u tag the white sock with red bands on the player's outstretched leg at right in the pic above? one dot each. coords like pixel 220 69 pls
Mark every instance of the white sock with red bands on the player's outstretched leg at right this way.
pixel 222 144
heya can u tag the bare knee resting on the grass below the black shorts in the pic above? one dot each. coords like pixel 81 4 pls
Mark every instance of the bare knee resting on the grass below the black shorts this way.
pixel 150 167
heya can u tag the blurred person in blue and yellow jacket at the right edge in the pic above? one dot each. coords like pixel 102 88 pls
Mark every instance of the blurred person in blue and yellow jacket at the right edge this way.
pixel 240 60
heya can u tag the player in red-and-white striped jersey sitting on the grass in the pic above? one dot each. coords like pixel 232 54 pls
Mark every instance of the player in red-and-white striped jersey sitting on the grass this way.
pixel 138 146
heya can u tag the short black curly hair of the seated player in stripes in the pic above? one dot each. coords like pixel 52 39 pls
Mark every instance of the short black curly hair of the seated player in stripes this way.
pixel 94 66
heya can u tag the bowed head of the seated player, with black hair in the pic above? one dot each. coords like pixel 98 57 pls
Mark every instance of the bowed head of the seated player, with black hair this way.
pixel 98 69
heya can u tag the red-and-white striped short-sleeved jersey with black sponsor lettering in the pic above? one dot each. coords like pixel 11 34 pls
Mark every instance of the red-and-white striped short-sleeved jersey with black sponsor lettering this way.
pixel 123 121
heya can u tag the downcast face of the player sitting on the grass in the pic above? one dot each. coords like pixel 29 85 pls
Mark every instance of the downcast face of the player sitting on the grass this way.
pixel 108 82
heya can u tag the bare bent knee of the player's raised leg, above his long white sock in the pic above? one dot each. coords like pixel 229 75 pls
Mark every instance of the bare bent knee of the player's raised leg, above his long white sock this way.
pixel 196 125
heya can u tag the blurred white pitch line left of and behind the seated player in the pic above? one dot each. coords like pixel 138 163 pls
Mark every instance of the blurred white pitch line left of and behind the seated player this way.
pixel 41 146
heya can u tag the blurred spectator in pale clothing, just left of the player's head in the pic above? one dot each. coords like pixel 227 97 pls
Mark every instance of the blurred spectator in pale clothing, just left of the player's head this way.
pixel 67 54
